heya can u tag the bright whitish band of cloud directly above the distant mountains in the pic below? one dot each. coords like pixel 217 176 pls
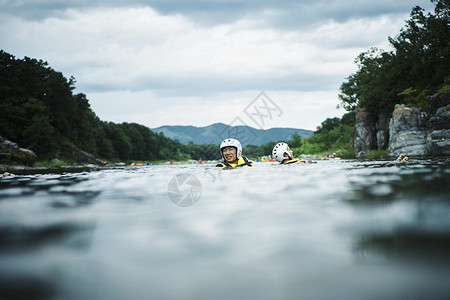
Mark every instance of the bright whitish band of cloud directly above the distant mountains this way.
pixel 300 109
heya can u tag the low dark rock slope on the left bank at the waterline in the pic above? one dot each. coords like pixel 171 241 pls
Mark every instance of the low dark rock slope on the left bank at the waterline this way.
pixel 11 153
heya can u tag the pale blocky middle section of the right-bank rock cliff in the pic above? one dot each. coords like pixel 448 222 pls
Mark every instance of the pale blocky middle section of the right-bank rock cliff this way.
pixel 408 131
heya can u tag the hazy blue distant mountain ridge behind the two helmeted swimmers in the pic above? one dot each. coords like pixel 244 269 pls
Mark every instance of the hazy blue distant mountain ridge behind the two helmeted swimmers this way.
pixel 215 133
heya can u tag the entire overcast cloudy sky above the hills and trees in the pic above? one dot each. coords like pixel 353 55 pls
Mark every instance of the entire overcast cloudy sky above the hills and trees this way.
pixel 175 62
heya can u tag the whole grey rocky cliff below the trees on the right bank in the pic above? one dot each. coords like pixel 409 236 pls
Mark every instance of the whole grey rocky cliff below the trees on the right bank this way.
pixel 414 131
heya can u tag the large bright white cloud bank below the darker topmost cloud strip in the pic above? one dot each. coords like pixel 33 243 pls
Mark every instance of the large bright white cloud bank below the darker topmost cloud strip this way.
pixel 139 49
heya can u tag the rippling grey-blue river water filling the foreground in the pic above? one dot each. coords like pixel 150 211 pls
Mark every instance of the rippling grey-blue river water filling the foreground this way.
pixel 331 230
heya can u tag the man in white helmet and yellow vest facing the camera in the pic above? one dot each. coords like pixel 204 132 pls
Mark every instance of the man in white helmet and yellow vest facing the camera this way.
pixel 231 151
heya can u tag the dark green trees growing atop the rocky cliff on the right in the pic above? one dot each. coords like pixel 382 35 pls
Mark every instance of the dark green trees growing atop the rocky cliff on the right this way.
pixel 414 70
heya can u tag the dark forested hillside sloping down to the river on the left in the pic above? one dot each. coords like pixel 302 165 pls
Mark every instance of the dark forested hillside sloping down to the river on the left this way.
pixel 39 111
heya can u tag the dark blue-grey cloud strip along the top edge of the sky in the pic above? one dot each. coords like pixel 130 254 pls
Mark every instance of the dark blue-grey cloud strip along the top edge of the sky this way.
pixel 291 14
